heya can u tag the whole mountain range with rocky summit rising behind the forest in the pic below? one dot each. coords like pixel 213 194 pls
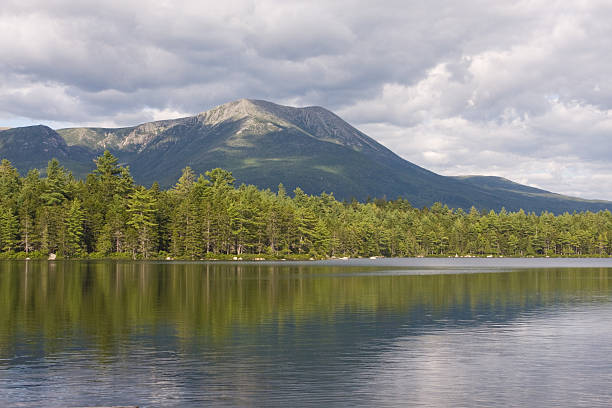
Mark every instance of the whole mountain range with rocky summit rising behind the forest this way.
pixel 265 144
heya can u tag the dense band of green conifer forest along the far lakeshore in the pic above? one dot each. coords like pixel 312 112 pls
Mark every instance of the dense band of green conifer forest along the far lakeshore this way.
pixel 207 216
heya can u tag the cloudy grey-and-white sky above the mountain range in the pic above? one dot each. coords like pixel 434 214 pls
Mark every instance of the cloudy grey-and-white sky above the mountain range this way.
pixel 519 89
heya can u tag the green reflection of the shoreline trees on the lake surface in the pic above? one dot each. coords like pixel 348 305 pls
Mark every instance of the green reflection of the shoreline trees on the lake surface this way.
pixel 112 300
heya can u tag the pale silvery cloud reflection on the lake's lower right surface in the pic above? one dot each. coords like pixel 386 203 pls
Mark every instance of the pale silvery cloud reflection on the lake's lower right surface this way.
pixel 561 356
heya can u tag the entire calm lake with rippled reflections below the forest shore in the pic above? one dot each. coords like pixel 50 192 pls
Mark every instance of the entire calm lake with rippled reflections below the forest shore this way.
pixel 423 332
